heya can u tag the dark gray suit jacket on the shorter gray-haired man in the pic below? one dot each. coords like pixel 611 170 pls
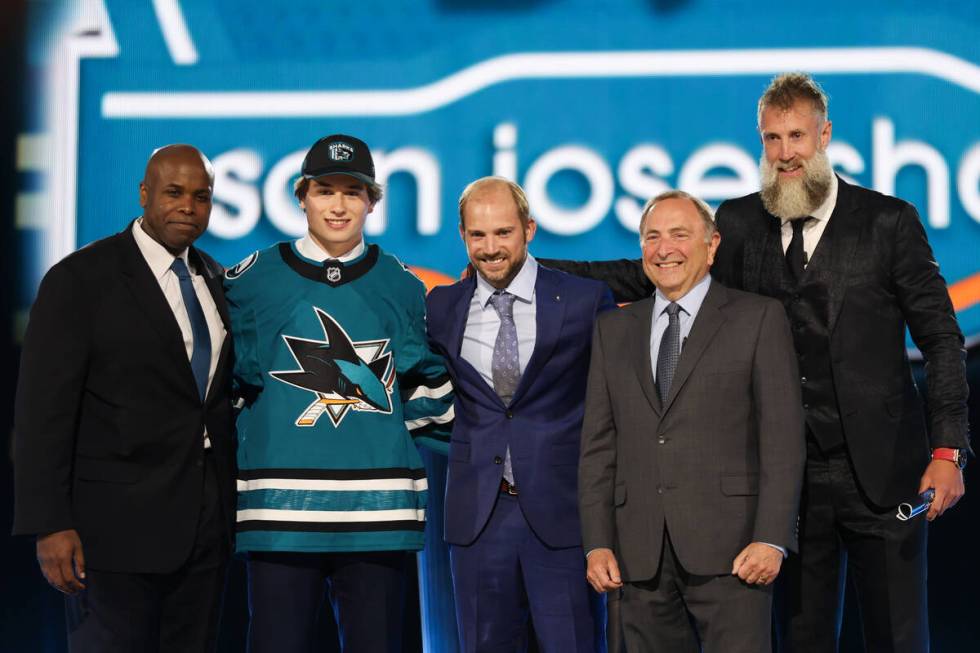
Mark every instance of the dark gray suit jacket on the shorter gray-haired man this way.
pixel 720 465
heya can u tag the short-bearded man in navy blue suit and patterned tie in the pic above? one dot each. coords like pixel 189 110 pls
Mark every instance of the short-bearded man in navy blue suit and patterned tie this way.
pixel 517 340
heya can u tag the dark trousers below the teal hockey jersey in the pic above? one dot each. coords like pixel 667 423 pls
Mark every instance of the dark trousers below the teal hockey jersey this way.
pixel 285 599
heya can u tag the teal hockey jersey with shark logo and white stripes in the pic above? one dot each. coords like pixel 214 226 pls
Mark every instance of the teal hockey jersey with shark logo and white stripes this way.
pixel 338 386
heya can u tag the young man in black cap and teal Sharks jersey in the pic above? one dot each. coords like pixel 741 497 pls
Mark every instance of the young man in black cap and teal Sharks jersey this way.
pixel 339 384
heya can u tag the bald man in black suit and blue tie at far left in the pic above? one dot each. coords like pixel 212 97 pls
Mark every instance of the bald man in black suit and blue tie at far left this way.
pixel 123 435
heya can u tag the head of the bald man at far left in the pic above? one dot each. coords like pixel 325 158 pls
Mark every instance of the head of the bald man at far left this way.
pixel 176 197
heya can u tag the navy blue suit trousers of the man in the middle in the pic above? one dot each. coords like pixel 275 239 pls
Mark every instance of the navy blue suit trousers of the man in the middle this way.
pixel 507 573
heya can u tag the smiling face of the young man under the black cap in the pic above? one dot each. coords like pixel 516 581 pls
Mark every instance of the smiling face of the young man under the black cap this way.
pixel 336 207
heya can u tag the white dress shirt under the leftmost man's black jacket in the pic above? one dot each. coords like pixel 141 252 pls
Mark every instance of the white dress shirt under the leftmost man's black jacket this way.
pixel 159 260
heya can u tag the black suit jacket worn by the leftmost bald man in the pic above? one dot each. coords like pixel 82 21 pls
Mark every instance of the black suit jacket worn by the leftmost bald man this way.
pixel 108 425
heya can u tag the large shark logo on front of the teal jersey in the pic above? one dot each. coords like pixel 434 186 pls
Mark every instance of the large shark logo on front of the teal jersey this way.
pixel 342 374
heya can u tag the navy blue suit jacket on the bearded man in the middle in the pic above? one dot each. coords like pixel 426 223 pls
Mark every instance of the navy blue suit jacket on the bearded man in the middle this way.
pixel 543 423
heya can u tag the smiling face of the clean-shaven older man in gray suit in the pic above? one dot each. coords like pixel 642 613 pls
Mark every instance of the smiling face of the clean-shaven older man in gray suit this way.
pixel 677 250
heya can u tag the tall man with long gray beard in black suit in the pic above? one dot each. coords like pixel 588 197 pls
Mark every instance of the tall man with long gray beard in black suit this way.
pixel 853 269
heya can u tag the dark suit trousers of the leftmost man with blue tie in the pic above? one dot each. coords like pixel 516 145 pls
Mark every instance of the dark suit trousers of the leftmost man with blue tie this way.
pixel 176 612
